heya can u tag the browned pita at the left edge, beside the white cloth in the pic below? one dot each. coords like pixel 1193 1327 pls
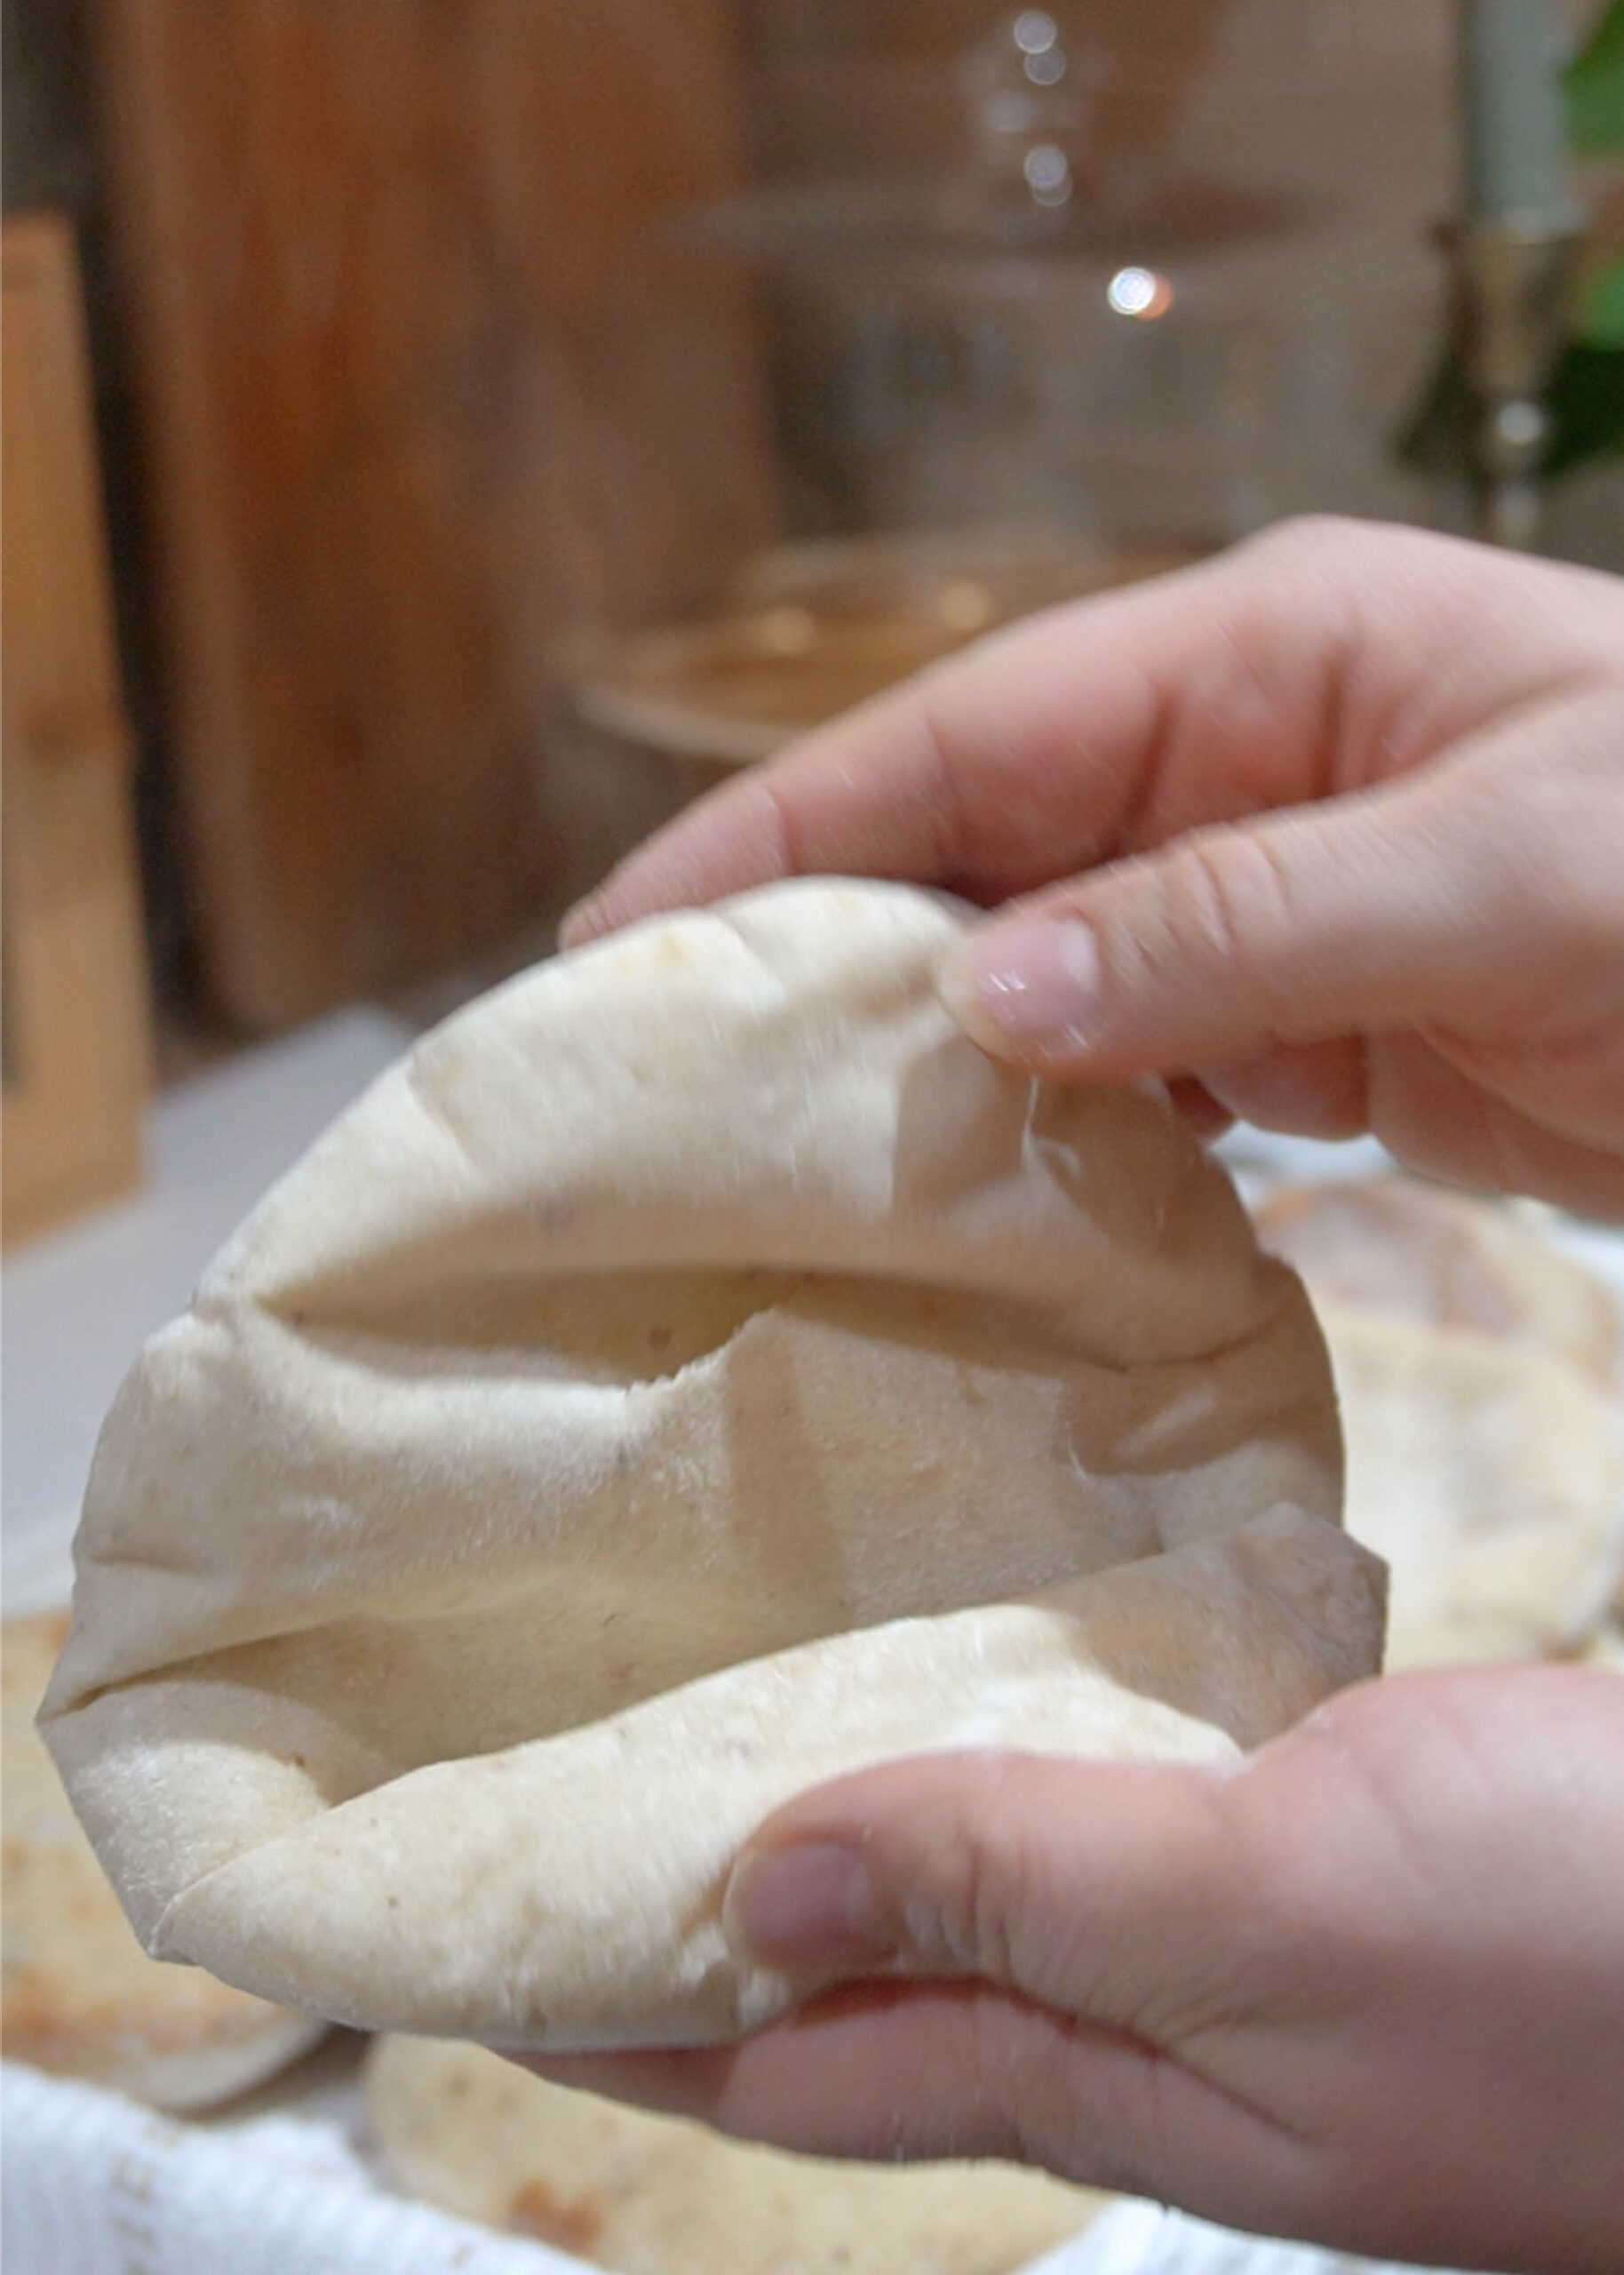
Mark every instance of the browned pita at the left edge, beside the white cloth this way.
pixel 81 1994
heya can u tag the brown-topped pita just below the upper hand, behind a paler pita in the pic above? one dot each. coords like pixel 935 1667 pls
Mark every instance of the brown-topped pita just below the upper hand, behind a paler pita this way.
pixel 1405 1248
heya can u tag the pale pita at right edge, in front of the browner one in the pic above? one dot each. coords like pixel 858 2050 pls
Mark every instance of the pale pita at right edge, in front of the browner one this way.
pixel 1489 1478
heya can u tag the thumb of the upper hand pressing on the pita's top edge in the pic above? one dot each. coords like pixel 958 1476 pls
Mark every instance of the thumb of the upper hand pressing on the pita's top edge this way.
pixel 1364 913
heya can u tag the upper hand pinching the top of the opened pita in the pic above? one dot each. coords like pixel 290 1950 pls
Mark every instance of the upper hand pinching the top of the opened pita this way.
pixel 1339 825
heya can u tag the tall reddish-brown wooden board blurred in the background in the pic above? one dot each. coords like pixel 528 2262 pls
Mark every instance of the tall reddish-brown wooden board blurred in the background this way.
pixel 367 249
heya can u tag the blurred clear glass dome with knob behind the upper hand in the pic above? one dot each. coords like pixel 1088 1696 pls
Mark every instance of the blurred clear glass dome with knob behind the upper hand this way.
pixel 1059 363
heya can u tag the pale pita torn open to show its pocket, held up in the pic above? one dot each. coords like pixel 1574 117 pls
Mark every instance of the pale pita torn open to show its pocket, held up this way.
pixel 693 1373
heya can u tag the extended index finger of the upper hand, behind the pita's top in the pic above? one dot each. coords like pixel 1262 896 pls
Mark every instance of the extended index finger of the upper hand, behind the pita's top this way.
pixel 1091 731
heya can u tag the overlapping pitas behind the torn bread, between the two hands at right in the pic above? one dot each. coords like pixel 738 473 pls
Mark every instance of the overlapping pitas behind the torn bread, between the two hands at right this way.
pixel 1480 1382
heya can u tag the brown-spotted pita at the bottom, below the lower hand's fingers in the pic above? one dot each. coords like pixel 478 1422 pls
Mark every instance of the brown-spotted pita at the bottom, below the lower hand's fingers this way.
pixel 656 2197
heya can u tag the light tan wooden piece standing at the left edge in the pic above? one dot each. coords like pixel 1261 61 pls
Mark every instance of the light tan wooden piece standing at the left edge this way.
pixel 76 1027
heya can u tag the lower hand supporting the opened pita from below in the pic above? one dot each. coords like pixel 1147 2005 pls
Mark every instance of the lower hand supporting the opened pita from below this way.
pixel 1366 1989
